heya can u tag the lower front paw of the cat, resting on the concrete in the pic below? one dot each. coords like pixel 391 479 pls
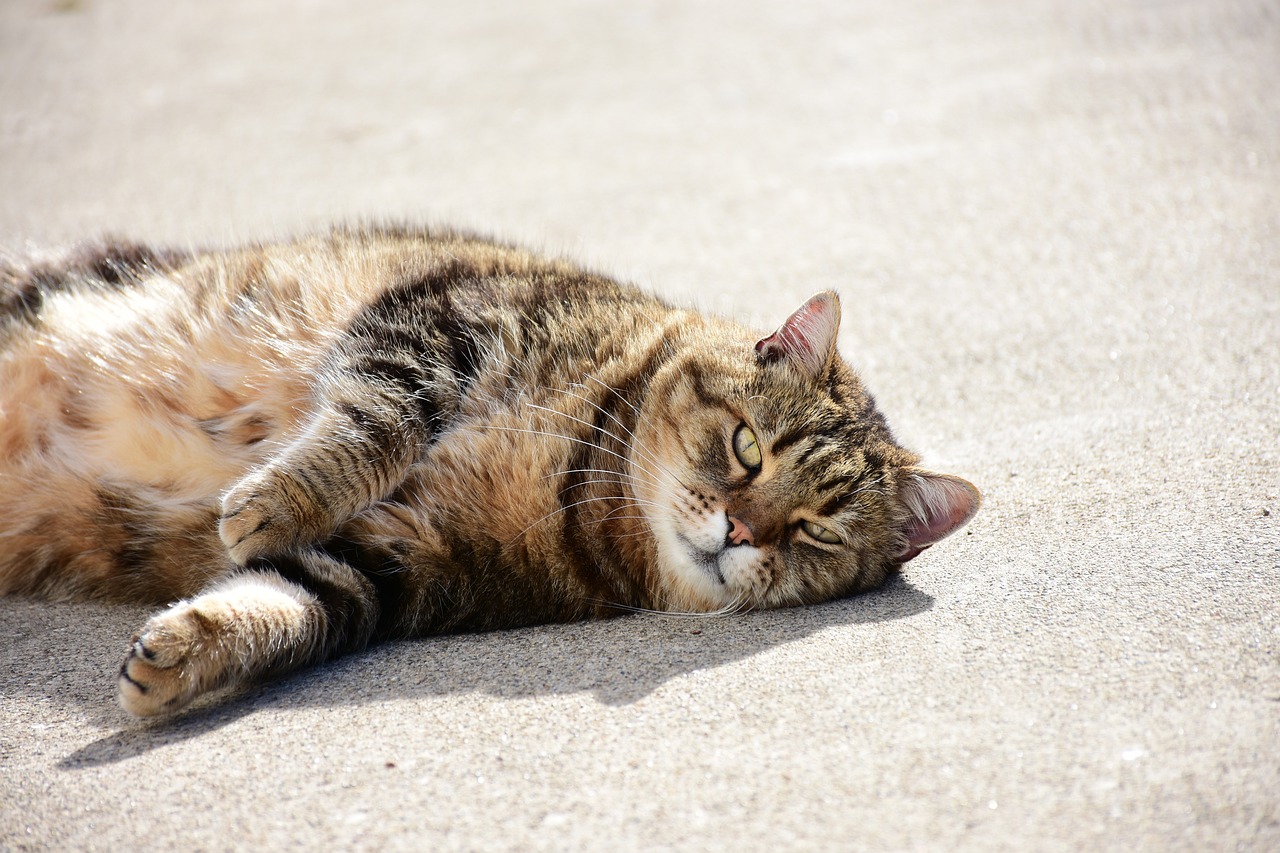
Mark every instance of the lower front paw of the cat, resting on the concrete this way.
pixel 162 673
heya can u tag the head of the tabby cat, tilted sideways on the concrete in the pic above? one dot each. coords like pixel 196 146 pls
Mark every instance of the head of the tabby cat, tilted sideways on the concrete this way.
pixel 769 477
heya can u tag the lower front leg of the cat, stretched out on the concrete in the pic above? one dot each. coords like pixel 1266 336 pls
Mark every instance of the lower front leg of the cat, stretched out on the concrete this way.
pixel 253 626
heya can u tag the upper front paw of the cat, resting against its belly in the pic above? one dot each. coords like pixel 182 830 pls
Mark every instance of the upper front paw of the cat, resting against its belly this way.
pixel 260 519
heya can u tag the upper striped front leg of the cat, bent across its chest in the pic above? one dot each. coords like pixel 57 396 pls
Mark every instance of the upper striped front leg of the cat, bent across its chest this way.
pixel 397 376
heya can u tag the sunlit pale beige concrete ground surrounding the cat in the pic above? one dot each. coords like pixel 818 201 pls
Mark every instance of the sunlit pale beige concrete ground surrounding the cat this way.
pixel 1057 230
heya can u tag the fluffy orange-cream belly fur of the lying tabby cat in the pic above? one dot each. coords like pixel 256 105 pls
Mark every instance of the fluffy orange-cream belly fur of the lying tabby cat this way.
pixel 116 443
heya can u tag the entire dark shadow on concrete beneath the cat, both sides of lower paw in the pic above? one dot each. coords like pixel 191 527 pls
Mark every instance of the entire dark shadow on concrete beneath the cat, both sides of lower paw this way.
pixel 619 662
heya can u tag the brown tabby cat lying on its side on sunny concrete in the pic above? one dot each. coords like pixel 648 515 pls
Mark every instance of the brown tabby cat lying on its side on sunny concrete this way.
pixel 388 432
